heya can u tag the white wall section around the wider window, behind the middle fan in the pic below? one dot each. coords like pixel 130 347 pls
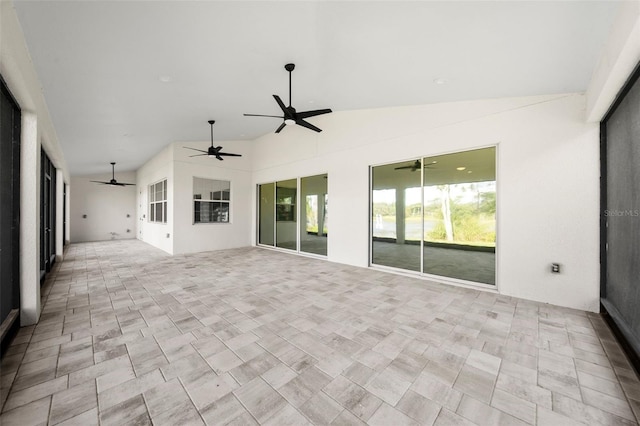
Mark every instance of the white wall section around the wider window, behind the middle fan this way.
pixel 190 237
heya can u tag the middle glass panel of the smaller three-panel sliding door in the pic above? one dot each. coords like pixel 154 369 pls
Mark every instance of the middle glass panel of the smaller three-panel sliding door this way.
pixel 286 223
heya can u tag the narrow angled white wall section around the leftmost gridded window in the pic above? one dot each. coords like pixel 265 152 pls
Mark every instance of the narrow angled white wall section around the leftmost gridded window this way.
pixel 160 167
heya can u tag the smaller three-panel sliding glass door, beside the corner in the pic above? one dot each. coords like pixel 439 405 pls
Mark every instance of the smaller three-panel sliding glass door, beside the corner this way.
pixel 292 214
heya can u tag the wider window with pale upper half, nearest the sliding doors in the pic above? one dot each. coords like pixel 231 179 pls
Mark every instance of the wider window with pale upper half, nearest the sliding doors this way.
pixel 211 200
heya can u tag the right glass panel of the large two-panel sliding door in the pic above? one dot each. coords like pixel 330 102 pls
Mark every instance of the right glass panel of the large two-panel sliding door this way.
pixel 460 215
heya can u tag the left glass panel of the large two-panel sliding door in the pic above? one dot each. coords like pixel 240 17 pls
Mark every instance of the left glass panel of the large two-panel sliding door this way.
pixel 396 215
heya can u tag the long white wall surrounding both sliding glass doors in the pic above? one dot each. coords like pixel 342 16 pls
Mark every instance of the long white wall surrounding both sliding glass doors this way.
pixel 547 181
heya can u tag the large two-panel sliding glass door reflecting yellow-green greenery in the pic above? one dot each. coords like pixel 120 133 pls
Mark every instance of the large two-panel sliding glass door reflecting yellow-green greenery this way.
pixel 437 215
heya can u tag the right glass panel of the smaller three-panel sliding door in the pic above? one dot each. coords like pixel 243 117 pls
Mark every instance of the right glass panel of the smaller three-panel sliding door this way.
pixel 313 217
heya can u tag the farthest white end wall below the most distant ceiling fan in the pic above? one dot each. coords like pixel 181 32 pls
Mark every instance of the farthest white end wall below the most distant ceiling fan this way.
pixel 110 210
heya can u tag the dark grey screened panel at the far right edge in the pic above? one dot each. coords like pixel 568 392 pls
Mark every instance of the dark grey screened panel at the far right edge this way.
pixel 621 290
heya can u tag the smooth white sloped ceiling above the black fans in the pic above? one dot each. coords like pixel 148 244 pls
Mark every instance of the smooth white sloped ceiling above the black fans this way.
pixel 101 63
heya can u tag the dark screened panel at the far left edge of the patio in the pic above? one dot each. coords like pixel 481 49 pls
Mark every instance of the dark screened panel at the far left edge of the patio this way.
pixel 10 202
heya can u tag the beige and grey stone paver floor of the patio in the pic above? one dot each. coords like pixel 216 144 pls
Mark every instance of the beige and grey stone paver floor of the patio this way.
pixel 130 335
